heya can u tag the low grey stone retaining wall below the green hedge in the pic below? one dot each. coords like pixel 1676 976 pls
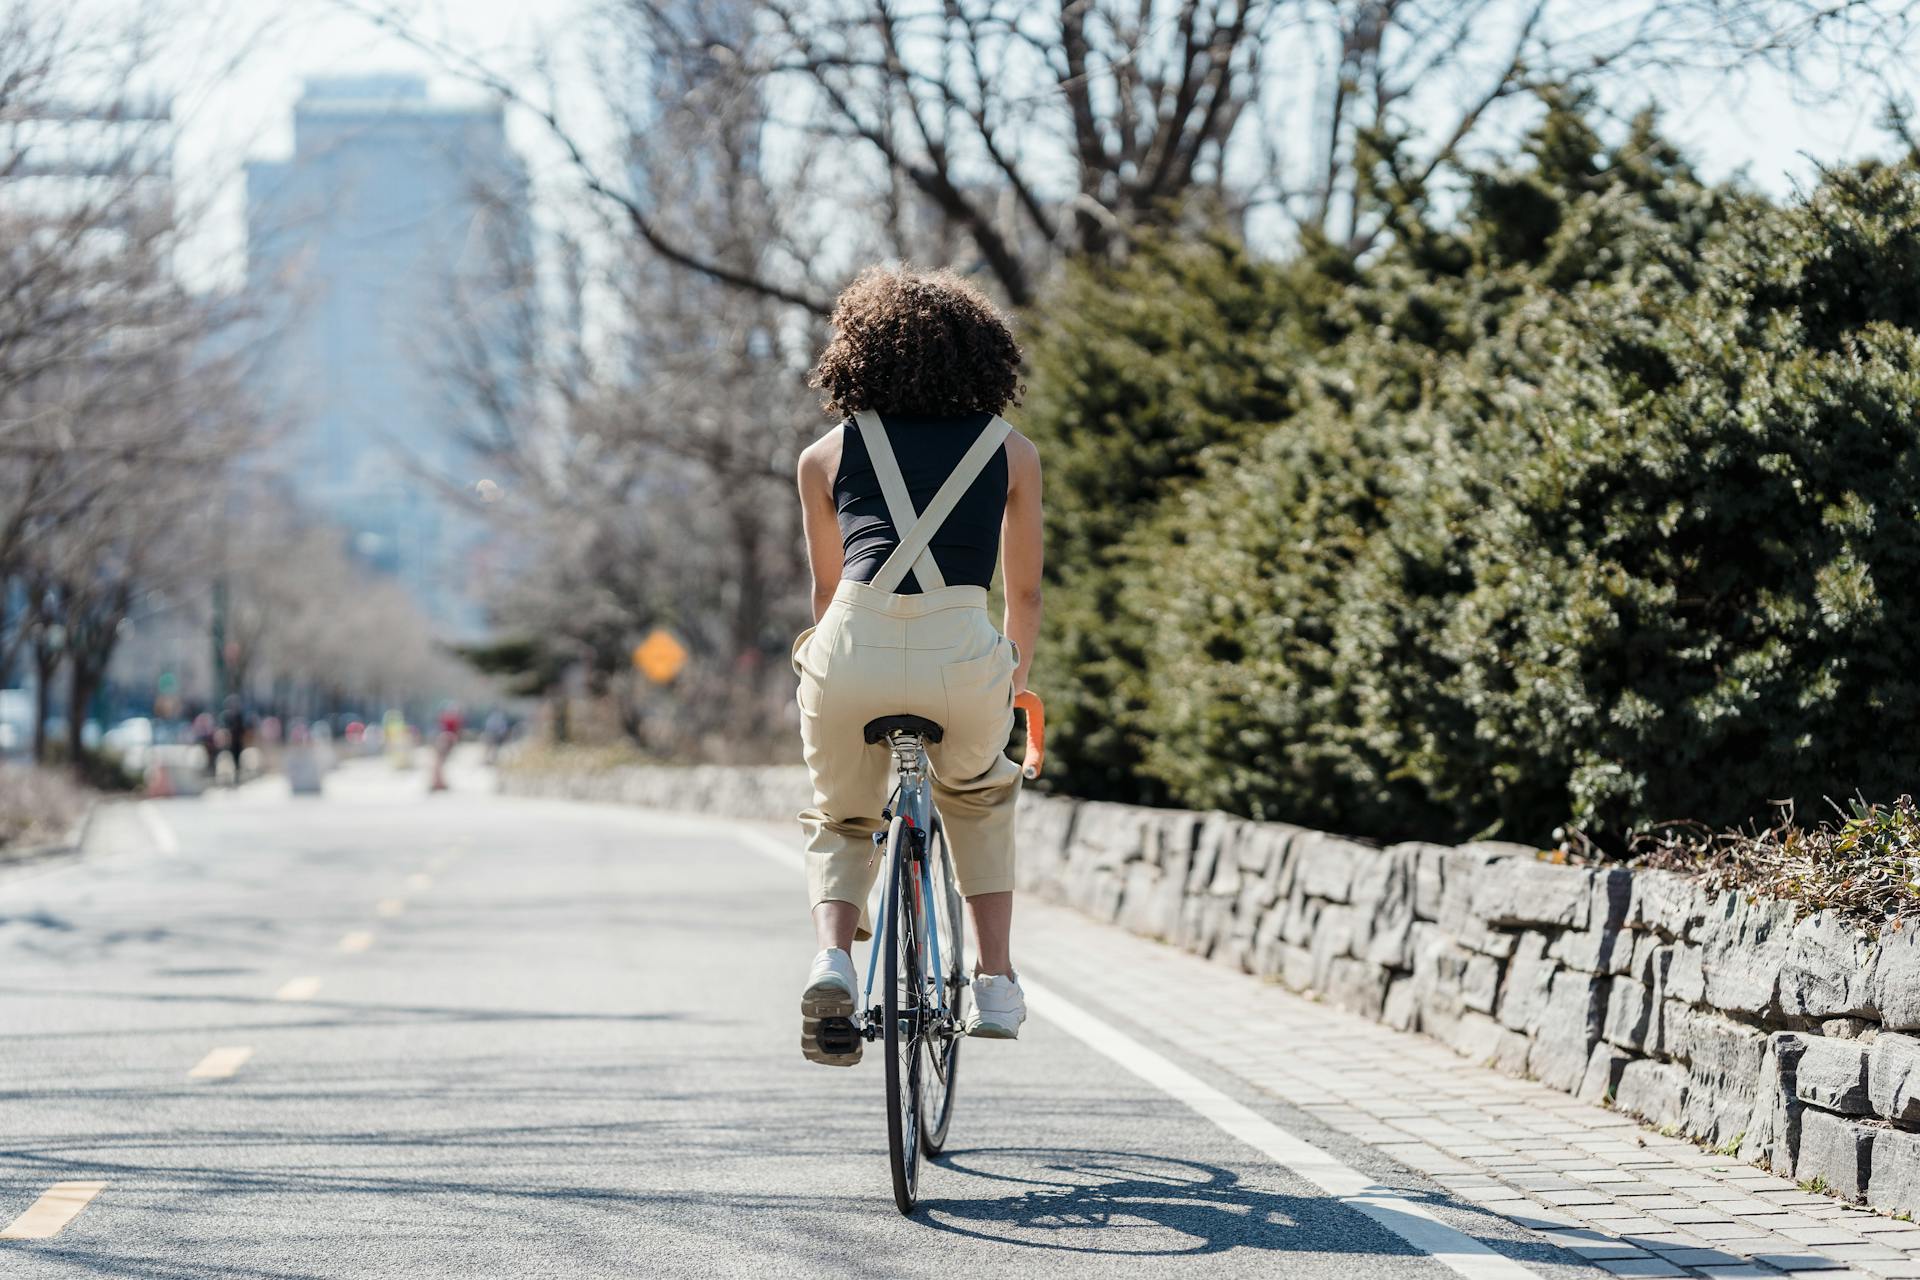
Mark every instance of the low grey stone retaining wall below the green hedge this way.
pixel 1790 1039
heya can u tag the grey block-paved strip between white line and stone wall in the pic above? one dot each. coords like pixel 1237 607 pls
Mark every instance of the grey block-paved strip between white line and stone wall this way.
pixel 1583 1177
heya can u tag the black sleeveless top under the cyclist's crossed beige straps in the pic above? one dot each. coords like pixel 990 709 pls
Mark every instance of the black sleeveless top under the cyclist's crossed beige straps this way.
pixel 928 450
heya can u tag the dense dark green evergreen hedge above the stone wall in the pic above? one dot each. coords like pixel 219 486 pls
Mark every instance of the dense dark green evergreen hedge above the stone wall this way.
pixel 1593 506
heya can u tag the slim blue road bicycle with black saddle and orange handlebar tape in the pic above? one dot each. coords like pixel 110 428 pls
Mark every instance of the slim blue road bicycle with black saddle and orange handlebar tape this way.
pixel 923 1018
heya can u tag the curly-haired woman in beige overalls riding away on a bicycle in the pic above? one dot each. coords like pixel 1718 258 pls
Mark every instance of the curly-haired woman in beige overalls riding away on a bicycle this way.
pixel 921 369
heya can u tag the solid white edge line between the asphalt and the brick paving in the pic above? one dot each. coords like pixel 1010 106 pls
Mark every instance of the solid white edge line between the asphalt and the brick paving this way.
pixel 1387 1206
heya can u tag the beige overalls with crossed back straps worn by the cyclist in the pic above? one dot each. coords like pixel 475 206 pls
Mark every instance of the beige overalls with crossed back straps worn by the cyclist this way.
pixel 934 655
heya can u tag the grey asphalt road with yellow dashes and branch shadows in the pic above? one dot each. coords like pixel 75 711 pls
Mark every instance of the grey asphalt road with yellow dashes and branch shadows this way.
pixel 479 1037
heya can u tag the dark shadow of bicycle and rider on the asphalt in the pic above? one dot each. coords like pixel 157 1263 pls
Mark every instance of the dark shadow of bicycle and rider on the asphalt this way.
pixel 1136 1204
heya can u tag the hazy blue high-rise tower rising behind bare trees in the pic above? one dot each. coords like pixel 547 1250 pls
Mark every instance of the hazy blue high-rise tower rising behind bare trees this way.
pixel 391 208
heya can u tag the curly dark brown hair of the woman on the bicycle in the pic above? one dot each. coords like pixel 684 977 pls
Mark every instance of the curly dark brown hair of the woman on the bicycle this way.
pixel 917 343
